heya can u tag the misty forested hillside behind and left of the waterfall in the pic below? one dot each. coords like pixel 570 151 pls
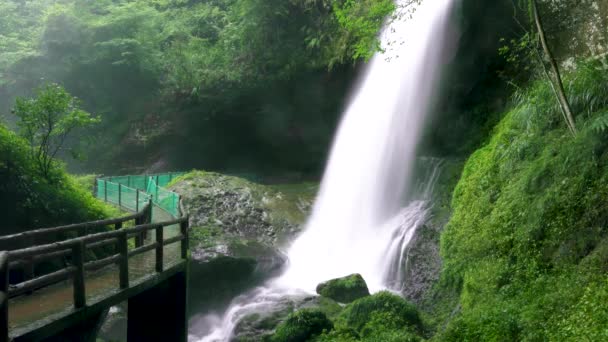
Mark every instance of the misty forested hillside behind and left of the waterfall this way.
pixel 157 69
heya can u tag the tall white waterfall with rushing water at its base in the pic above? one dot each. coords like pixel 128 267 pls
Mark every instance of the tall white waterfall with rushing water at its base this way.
pixel 362 220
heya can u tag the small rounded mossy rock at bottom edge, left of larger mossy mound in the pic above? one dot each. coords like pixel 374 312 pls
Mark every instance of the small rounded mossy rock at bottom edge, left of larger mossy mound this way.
pixel 301 326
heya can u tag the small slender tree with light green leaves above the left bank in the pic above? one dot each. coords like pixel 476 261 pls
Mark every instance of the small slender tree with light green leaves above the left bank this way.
pixel 47 120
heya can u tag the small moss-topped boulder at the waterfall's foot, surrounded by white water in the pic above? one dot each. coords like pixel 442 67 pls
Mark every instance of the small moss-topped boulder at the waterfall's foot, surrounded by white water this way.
pixel 344 290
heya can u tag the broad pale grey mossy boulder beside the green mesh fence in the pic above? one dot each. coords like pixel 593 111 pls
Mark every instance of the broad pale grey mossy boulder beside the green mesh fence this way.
pixel 236 206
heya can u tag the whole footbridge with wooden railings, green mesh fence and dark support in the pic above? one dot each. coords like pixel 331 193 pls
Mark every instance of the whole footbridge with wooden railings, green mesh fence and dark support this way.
pixel 58 283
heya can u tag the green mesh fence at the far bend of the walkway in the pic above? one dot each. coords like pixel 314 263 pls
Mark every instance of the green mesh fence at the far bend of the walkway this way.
pixel 134 192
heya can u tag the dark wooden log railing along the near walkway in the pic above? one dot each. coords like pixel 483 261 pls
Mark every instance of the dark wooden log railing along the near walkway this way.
pixel 75 249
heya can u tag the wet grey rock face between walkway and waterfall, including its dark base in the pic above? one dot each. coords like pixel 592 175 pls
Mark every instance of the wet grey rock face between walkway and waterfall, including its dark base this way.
pixel 236 229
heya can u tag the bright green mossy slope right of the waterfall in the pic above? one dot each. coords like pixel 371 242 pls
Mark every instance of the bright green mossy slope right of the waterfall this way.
pixel 526 245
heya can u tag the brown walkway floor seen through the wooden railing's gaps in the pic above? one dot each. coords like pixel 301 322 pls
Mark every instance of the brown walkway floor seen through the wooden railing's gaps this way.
pixel 57 300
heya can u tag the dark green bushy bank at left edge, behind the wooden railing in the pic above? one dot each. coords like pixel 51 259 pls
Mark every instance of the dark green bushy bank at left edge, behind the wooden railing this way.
pixel 30 200
